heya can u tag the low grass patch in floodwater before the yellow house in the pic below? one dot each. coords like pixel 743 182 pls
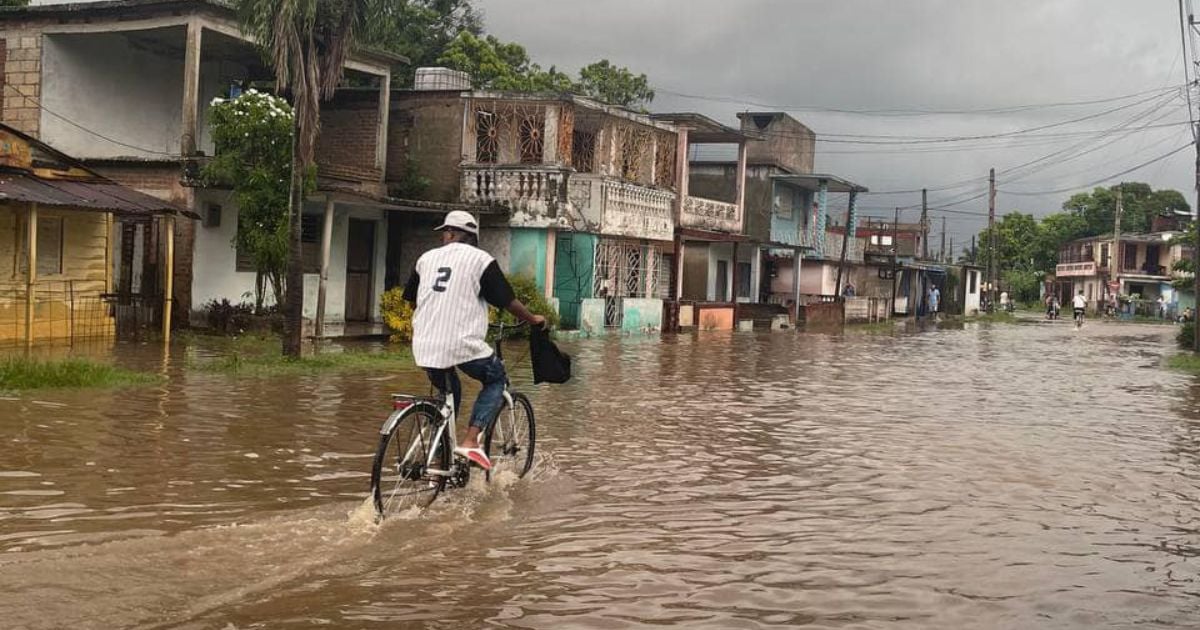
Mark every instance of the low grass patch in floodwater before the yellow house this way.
pixel 23 374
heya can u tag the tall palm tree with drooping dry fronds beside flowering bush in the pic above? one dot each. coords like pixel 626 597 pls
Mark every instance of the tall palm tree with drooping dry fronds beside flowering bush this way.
pixel 308 44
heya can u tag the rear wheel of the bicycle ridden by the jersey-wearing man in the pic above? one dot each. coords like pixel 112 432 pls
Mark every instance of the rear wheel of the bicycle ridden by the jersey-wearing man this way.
pixel 400 477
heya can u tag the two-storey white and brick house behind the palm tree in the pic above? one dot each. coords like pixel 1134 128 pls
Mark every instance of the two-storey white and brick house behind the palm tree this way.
pixel 125 86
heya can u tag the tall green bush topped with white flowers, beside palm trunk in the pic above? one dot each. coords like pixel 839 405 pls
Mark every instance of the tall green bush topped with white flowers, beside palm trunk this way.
pixel 254 157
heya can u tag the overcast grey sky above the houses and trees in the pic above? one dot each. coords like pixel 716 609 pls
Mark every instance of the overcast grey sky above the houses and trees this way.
pixel 811 57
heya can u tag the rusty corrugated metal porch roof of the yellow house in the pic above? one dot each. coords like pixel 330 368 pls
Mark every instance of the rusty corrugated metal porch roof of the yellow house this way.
pixel 98 195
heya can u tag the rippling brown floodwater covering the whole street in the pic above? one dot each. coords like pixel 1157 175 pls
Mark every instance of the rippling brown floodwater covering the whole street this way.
pixel 985 477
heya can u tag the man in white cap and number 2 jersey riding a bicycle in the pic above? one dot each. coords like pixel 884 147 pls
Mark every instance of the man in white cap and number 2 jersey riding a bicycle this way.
pixel 451 289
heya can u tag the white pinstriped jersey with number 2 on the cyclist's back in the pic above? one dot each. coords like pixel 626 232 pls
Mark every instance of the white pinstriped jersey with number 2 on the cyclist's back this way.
pixel 451 322
